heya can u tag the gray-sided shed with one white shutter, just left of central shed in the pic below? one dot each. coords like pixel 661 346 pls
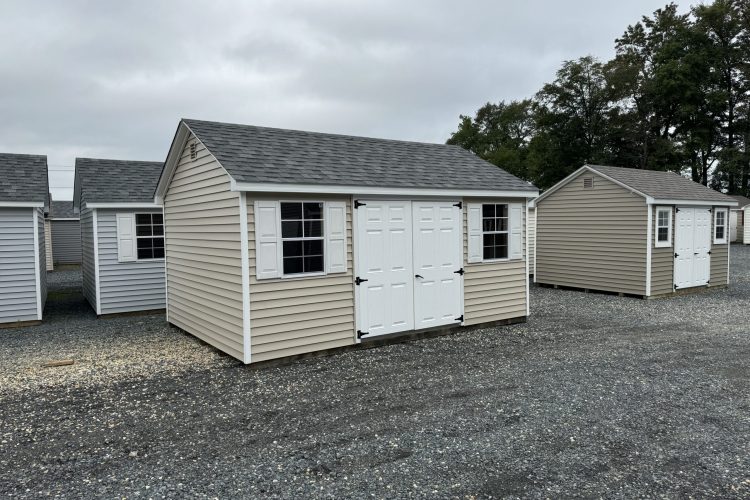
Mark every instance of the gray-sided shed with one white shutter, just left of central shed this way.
pixel 122 234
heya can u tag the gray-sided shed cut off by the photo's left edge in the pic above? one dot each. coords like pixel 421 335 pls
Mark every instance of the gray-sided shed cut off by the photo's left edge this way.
pixel 23 272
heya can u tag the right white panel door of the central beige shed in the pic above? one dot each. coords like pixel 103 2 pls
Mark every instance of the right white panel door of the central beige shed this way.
pixel 437 257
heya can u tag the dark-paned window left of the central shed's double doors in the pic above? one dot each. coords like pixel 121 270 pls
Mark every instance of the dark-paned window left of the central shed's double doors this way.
pixel 302 237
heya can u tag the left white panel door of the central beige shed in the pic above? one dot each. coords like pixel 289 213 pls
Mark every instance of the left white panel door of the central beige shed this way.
pixel 384 259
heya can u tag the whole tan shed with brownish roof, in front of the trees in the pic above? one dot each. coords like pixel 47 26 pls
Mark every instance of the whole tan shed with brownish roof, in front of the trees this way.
pixel 632 231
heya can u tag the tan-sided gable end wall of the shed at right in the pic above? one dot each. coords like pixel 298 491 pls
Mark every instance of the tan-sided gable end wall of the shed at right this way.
pixel 592 237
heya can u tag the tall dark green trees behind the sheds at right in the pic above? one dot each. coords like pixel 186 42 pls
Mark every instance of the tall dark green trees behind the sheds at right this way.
pixel 676 96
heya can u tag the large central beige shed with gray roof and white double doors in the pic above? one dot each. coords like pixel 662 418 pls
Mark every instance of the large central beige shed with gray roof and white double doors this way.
pixel 281 242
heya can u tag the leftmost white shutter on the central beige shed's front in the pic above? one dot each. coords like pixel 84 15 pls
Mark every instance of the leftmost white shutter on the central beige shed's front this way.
pixel 267 240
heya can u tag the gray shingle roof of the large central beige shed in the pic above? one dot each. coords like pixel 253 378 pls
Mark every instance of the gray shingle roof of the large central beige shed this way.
pixel 277 156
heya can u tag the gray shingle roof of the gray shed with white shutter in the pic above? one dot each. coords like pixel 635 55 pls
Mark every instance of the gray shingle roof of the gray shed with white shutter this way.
pixel 115 181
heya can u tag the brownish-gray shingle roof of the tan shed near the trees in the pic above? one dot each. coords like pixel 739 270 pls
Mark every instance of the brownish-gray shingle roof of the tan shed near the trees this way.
pixel 662 185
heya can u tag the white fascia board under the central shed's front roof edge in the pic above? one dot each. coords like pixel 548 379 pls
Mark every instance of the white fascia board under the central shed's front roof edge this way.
pixel 377 191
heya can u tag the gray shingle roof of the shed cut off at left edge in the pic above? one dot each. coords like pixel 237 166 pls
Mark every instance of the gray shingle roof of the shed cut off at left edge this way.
pixel 23 178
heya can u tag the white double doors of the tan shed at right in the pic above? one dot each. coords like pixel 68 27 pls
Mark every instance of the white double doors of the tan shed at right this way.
pixel 692 241
